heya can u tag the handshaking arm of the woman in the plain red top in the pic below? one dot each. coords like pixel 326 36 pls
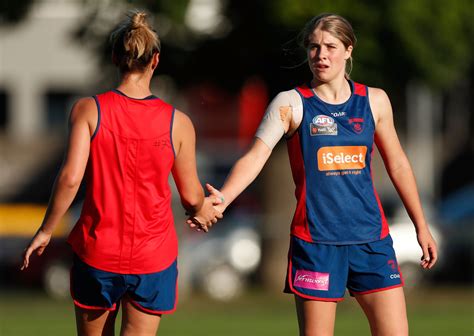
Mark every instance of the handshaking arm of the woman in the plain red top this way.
pixel 185 173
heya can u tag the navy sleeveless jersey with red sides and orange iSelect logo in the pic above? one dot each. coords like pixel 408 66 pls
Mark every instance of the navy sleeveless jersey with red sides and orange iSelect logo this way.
pixel 330 156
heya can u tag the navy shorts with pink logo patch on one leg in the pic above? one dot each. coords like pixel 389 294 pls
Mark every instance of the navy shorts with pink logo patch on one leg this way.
pixel 322 272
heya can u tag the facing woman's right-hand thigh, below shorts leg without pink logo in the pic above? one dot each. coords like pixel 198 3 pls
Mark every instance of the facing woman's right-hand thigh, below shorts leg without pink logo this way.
pixel 386 311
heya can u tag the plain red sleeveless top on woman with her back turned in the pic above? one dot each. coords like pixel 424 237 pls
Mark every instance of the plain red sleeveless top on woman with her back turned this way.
pixel 126 225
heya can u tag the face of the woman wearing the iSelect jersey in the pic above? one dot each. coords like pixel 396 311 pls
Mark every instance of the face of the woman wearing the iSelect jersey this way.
pixel 327 56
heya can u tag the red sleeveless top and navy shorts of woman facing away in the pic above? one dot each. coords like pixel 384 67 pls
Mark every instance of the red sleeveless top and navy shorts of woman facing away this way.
pixel 125 237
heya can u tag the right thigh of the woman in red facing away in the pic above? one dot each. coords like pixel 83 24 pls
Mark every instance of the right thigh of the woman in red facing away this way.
pixel 137 322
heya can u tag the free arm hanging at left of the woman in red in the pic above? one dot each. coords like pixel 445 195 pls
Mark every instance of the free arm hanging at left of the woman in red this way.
pixel 83 121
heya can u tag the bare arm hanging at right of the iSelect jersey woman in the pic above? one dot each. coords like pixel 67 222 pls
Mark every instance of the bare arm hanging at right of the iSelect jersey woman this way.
pixel 400 172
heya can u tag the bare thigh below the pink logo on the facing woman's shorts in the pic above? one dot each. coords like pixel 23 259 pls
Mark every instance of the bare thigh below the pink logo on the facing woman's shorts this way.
pixel 315 318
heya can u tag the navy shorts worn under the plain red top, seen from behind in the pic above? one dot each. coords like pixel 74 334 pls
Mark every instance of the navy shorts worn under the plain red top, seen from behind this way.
pixel 154 293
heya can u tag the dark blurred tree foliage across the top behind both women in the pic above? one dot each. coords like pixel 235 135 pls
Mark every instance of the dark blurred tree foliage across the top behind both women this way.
pixel 427 40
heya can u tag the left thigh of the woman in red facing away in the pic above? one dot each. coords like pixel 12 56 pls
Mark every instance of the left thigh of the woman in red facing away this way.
pixel 92 322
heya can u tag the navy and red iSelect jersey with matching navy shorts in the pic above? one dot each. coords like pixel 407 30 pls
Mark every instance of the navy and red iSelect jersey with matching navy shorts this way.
pixel 339 233
